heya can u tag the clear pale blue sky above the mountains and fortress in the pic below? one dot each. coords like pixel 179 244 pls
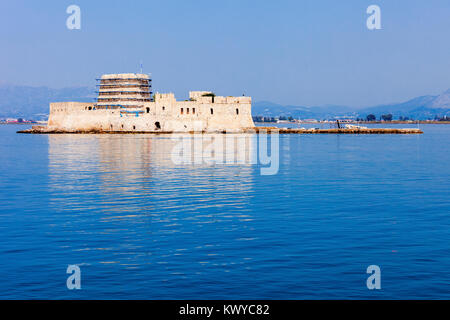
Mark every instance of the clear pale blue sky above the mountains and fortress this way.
pixel 290 52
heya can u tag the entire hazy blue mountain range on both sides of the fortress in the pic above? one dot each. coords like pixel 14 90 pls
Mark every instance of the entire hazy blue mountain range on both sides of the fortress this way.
pixel 33 103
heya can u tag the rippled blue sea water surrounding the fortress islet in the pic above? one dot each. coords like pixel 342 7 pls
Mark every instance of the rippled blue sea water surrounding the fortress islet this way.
pixel 141 227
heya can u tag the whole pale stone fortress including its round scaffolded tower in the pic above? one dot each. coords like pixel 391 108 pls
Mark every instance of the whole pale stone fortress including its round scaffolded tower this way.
pixel 125 104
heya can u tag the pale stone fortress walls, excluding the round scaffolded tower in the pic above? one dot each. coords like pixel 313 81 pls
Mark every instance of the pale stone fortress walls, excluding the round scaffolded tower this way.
pixel 165 112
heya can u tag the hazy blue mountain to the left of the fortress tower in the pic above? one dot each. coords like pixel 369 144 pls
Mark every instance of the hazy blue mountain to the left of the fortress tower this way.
pixel 33 102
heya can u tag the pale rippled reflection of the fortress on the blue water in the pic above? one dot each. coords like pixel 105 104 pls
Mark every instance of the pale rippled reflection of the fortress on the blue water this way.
pixel 137 165
